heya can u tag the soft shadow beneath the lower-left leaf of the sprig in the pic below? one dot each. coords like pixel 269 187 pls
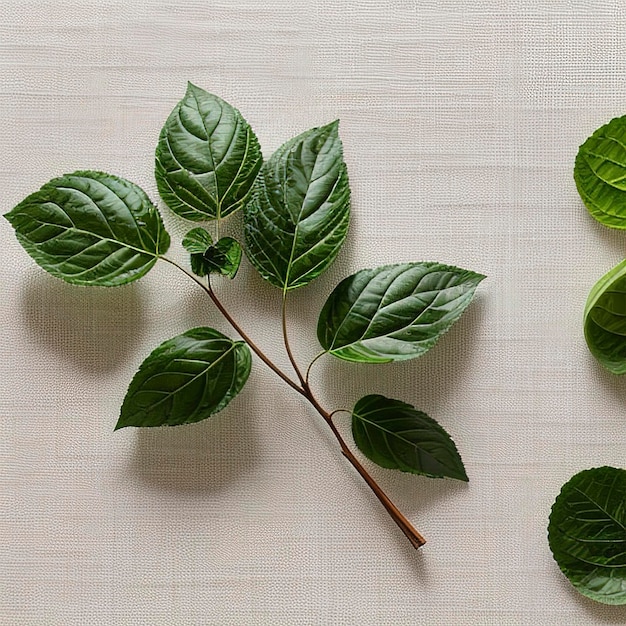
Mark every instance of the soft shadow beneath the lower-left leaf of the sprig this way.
pixel 206 457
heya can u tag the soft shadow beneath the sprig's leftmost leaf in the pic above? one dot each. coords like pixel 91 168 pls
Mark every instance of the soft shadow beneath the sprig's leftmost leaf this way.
pixel 87 325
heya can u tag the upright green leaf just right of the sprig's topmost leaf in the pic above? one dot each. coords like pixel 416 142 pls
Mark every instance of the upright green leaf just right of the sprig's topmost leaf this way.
pixel 298 217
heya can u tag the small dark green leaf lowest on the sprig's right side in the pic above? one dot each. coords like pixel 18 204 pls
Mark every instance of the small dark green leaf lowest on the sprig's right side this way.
pixel 397 436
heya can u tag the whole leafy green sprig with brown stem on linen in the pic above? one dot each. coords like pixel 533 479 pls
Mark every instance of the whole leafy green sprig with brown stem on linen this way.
pixel 92 228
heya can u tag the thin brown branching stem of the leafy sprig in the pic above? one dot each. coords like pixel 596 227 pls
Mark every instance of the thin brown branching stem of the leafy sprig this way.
pixel 304 389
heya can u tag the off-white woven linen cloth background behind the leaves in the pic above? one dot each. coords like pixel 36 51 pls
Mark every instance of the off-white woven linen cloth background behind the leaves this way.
pixel 460 121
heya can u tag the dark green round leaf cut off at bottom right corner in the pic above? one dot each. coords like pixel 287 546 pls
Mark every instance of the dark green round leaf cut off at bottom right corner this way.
pixel 587 533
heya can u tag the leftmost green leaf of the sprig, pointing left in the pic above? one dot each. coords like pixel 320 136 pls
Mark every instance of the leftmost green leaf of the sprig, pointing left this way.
pixel 91 228
